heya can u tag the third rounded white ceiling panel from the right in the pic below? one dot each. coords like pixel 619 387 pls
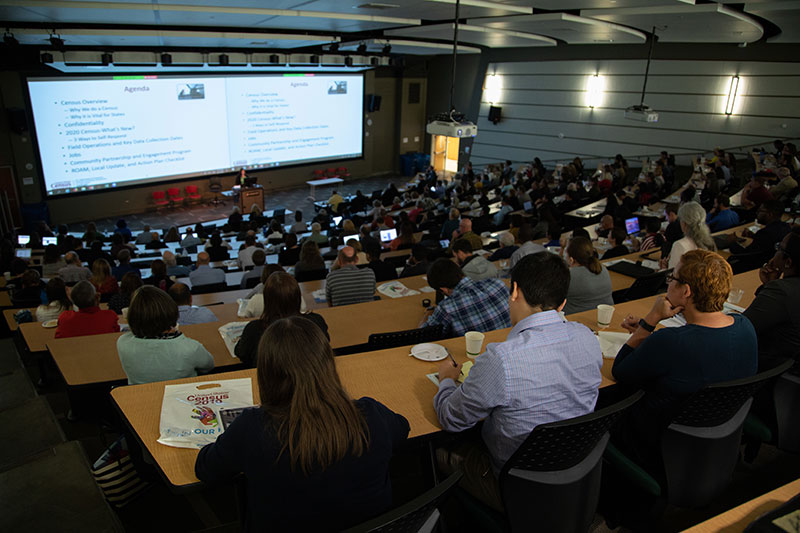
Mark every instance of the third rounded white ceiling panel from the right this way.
pixel 481 35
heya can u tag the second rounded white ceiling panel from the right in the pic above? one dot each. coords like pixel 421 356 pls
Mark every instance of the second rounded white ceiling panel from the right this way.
pixel 569 28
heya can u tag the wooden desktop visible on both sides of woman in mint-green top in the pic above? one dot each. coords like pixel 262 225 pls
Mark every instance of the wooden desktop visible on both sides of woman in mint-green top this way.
pixel 93 359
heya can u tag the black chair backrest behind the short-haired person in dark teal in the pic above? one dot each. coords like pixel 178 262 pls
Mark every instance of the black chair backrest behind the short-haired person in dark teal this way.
pixel 700 447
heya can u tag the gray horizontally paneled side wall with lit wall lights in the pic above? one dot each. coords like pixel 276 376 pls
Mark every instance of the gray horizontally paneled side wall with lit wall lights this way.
pixel 545 113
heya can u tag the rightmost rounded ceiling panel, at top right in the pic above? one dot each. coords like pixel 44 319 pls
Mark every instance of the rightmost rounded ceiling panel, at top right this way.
pixel 686 23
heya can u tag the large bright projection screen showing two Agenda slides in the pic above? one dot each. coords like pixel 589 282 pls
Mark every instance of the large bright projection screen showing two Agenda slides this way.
pixel 100 133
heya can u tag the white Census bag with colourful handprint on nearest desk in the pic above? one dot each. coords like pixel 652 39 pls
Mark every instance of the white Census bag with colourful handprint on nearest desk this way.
pixel 191 413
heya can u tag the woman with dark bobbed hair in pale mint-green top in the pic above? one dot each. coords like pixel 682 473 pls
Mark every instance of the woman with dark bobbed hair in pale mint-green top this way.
pixel 154 349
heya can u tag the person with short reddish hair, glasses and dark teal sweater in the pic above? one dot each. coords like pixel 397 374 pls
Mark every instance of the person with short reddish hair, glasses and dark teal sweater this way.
pixel 672 363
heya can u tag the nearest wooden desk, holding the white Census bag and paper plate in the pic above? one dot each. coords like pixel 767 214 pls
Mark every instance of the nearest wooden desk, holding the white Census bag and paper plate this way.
pixel 390 376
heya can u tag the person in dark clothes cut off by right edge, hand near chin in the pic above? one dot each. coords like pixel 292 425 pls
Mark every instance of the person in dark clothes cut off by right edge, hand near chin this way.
pixel 775 312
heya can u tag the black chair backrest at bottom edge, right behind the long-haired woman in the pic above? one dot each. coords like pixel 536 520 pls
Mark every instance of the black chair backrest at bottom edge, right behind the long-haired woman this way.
pixel 415 516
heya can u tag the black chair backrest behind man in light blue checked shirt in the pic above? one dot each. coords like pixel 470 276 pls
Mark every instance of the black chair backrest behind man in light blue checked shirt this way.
pixel 553 479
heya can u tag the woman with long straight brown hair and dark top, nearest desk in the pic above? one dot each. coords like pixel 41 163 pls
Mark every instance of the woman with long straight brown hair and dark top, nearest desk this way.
pixel 302 474
